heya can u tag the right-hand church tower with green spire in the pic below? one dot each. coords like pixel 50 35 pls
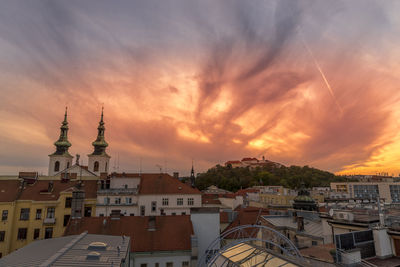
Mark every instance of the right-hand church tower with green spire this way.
pixel 99 160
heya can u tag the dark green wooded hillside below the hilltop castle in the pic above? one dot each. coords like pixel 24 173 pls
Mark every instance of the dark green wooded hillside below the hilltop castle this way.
pixel 233 179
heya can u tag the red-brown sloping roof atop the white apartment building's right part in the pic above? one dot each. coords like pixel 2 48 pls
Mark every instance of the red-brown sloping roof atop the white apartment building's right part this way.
pixel 157 184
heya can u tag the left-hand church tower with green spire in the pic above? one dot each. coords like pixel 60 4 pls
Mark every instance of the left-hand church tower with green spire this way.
pixel 61 159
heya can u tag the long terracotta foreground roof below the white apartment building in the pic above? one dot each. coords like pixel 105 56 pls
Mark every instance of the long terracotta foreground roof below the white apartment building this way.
pixel 171 232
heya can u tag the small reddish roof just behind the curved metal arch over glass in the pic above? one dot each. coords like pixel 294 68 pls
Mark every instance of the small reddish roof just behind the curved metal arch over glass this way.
pixel 248 215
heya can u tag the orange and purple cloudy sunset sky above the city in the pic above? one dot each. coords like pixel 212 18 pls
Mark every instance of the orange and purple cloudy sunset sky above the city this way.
pixel 302 82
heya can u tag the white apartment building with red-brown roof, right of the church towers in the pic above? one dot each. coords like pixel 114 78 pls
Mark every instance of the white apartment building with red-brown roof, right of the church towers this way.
pixel 146 194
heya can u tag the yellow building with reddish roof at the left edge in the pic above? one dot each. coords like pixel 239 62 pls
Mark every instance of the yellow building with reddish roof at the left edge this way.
pixel 39 210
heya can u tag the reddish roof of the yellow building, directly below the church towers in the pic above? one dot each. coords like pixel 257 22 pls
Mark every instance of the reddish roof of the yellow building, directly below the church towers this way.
pixel 38 190
